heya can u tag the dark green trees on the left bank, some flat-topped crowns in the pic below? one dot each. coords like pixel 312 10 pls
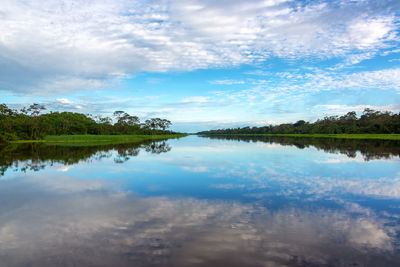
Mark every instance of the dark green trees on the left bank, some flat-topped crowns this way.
pixel 31 123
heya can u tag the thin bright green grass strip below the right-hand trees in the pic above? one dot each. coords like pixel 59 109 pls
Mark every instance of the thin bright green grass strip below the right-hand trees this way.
pixel 339 136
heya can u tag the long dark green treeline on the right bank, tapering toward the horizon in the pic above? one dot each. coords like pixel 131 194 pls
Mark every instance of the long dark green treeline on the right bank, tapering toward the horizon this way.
pixel 371 121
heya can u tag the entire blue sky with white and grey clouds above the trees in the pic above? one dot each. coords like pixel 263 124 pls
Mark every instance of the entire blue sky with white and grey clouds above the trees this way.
pixel 202 64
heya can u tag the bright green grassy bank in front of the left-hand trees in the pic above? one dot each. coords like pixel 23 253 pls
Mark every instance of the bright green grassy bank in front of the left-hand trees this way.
pixel 99 139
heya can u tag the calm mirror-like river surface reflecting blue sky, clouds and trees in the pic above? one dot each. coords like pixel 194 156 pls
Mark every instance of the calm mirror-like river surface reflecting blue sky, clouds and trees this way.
pixel 202 202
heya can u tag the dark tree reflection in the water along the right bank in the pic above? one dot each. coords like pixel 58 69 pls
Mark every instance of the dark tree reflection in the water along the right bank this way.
pixel 370 149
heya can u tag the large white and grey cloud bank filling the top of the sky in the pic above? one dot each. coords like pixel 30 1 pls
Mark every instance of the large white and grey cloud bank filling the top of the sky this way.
pixel 62 46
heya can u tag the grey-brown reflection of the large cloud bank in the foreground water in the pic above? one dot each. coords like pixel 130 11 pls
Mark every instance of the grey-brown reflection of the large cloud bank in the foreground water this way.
pixel 98 227
